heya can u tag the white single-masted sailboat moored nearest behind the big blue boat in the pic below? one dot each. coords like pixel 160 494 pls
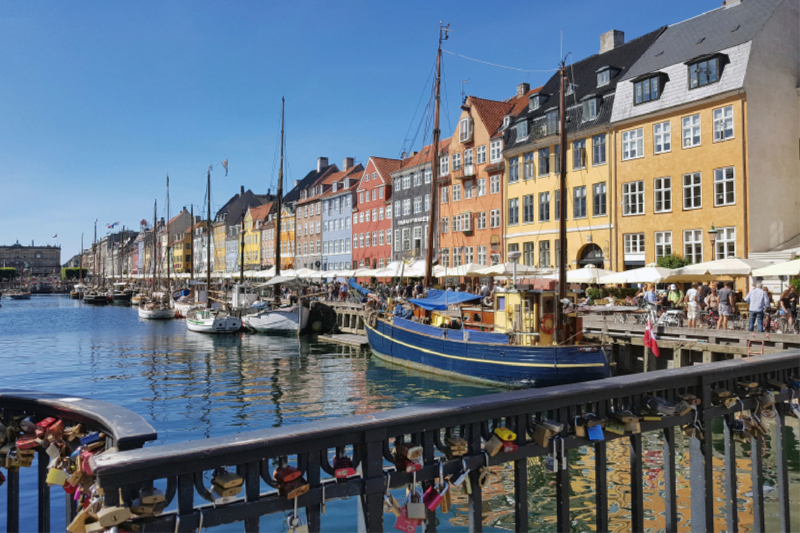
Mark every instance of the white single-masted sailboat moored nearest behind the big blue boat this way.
pixel 272 318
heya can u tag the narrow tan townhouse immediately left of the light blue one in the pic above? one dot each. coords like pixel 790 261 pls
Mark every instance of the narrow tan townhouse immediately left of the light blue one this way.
pixel 308 214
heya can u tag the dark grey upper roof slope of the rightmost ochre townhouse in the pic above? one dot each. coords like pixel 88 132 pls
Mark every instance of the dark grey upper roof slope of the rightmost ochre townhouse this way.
pixel 715 30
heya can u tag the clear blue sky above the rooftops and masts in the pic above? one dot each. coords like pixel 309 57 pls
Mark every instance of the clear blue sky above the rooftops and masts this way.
pixel 99 101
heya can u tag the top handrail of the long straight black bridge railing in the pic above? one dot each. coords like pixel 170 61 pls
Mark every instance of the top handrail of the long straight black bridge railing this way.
pixel 178 458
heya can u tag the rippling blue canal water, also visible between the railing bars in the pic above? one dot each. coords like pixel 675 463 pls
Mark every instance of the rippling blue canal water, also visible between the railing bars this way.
pixel 193 386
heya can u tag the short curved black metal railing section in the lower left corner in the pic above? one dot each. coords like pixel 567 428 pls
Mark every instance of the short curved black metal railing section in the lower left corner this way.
pixel 124 430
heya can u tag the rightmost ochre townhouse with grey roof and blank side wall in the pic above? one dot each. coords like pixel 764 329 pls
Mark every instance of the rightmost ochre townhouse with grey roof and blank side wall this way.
pixel 706 133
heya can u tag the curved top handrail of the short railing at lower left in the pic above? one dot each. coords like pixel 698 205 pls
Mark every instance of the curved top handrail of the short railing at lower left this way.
pixel 128 429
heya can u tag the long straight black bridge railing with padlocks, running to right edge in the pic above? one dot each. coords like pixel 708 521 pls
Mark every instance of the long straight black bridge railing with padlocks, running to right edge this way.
pixel 367 437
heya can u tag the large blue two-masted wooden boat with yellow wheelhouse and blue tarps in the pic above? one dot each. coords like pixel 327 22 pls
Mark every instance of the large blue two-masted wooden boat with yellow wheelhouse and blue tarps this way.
pixel 536 339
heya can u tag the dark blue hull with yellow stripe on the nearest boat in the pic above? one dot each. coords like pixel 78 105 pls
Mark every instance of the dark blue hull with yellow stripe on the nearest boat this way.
pixel 496 364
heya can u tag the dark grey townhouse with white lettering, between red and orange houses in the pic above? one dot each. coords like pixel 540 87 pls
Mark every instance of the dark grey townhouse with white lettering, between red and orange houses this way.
pixel 411 200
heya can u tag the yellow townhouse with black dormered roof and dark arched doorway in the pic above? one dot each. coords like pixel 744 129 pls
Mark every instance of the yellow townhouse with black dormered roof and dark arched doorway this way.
pixel 532 151
